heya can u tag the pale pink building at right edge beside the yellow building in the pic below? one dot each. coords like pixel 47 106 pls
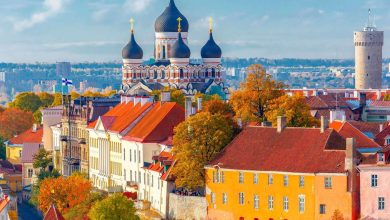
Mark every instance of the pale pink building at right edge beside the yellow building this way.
pixel 375 185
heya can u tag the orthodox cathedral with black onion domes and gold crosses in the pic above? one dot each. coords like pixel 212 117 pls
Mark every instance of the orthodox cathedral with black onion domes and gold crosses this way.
pixel 171 66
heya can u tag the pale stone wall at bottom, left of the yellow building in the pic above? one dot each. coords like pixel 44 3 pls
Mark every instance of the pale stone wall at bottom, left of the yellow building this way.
pixel 187 207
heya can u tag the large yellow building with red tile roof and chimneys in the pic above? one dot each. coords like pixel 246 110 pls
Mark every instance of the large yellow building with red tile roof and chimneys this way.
pixel 283 173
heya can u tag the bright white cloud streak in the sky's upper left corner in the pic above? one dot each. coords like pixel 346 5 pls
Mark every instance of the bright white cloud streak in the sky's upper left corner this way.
pixel 51 8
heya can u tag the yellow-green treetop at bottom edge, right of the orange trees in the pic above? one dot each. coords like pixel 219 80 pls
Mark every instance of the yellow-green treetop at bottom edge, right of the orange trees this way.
pixel 115 206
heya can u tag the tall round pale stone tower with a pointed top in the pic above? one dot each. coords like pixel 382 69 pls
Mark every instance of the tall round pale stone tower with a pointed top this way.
pixel 368 57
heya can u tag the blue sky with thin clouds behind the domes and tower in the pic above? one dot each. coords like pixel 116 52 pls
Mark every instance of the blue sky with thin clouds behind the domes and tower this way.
pixel 96 30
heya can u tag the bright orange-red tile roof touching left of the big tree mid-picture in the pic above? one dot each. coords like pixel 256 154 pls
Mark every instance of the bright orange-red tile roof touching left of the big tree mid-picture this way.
pixel 158 123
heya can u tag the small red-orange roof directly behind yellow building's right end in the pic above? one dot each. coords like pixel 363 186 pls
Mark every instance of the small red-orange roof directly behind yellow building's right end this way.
pixel 347 130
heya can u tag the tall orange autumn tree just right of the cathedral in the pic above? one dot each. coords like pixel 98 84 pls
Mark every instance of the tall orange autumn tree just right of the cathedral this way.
pixel 251 101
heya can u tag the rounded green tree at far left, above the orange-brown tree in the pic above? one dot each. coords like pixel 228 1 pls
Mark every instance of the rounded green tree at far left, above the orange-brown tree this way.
pixel 26 101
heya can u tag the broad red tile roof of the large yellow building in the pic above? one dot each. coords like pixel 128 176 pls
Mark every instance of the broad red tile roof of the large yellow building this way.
pixel 304 150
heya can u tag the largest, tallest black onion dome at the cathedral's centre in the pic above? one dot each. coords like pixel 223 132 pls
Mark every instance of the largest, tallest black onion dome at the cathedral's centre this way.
pixel 167 21
